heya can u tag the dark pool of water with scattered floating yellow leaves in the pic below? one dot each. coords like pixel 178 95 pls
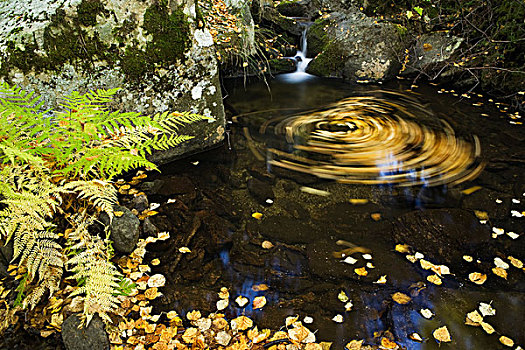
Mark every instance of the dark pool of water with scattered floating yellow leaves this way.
pixel 214 195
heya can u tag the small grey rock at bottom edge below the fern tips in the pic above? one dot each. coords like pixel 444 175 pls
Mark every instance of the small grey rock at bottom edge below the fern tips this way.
pixel 93 337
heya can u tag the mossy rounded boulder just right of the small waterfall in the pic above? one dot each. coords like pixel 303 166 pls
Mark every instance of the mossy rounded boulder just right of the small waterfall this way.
pixel 348 44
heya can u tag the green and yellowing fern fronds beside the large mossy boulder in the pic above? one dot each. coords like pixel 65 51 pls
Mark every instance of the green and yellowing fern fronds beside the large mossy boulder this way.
pixel 55 171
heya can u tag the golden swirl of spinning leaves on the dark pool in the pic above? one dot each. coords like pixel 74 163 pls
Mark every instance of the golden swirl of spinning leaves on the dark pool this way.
pixel 374 140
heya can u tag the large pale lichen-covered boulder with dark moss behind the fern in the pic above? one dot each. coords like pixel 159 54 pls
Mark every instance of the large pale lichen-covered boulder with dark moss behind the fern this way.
pixel 157 51
